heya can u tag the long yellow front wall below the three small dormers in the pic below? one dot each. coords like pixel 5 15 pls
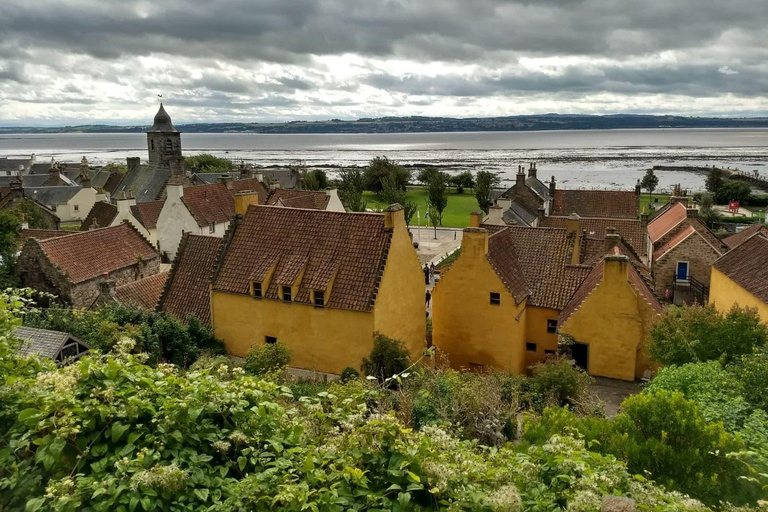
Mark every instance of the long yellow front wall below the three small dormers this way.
pixel 326 340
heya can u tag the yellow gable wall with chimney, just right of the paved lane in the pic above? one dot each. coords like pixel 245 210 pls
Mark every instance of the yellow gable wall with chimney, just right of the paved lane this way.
pixel 465 325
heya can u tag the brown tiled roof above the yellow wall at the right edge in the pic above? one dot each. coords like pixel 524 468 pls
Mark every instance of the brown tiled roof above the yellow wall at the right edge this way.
pixel 745 266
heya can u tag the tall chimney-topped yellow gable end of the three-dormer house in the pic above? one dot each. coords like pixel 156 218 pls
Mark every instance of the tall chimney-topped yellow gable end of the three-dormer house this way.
pixel 400 311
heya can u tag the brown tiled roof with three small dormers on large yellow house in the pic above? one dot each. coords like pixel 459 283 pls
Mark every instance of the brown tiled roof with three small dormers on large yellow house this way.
pixel 351 246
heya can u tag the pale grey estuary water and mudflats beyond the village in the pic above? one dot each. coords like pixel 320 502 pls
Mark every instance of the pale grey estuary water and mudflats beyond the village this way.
pixel 577 159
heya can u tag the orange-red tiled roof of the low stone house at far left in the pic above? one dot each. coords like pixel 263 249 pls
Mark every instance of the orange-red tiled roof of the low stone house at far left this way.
pixel 89 254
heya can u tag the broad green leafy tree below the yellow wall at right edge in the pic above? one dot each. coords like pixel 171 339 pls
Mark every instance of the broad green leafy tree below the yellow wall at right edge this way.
pixel 690 334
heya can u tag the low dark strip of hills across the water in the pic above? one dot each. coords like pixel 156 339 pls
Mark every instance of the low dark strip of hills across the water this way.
pixel 432 124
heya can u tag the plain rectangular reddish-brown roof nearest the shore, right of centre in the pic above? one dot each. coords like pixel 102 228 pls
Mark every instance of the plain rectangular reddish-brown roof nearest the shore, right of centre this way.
pixel 595 203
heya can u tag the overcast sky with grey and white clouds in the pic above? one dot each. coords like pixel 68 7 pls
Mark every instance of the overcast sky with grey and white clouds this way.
pixel 64 61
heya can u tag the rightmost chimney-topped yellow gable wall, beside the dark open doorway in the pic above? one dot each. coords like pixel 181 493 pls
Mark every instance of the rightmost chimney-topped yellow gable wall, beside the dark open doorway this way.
pixel 614 321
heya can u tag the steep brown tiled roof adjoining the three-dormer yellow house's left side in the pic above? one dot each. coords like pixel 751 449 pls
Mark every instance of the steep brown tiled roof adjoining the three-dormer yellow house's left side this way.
pixel 187 290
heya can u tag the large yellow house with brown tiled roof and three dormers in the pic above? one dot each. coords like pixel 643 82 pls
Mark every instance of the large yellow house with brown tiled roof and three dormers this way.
pixel 323 282
